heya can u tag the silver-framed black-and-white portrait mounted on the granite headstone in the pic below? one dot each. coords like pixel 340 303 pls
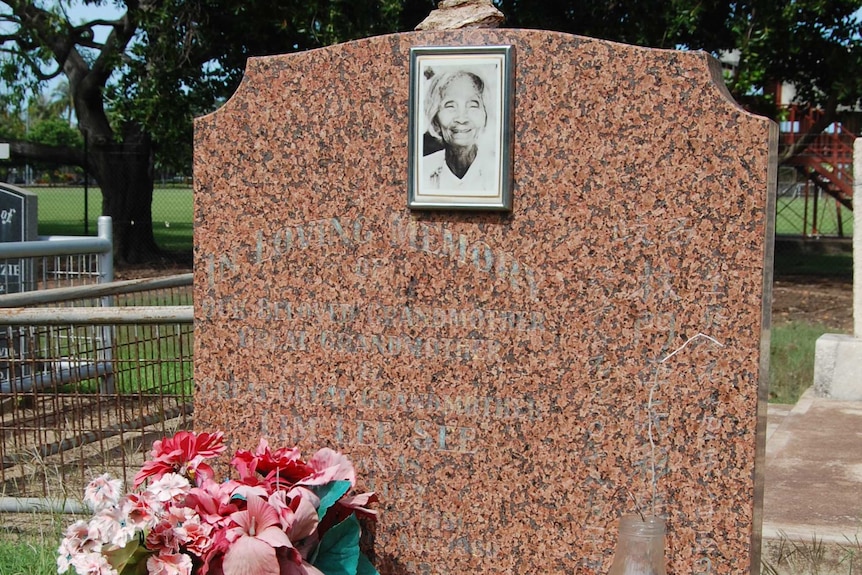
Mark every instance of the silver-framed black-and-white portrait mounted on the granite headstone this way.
pixel 460 150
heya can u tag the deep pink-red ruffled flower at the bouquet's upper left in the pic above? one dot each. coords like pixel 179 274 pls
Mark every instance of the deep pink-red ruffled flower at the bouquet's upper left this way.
pixel 183 453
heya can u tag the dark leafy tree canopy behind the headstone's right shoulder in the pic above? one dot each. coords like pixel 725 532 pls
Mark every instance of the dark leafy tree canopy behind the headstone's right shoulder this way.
pixel 814 44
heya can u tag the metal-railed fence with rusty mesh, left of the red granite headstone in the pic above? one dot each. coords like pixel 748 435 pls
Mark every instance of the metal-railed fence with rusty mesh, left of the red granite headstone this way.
pixel 90 375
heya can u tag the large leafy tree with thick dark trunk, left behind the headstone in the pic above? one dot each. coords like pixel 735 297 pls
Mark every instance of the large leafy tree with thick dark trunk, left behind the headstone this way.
pixel 163 62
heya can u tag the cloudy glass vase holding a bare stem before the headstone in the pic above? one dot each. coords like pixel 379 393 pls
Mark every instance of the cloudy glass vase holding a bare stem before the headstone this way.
pixel 640 548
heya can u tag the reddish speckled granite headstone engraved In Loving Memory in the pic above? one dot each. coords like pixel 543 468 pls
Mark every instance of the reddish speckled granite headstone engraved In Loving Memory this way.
pixel 509 383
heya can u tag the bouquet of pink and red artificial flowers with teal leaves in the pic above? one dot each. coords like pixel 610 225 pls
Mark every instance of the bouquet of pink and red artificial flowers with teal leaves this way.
pixel 283 516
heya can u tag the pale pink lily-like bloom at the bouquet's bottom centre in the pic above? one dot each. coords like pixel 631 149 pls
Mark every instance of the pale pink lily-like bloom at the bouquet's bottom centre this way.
pixel 254 539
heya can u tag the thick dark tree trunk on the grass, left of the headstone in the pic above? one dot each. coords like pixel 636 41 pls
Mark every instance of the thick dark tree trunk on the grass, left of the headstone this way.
pixel 125 173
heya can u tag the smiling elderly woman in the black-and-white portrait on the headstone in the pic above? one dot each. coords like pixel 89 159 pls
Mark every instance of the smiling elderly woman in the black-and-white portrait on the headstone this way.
pixel 456 113
